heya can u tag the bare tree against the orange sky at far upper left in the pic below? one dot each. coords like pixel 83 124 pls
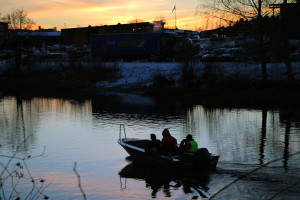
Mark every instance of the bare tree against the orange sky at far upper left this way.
pixel 18 19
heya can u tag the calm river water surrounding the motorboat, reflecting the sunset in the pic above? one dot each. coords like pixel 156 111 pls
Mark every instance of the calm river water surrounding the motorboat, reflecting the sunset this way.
pixel 258 148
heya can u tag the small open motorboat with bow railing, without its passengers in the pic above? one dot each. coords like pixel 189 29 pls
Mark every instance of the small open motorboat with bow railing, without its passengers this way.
pixel 136 148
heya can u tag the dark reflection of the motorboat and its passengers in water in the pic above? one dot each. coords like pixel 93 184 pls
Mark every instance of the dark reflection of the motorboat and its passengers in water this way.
pixel 166 181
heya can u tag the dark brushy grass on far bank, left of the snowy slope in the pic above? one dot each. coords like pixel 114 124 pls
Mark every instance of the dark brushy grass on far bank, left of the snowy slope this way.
pixel 70 75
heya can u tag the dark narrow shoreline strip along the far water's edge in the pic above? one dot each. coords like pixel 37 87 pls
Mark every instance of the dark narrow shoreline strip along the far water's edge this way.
pixel 224 97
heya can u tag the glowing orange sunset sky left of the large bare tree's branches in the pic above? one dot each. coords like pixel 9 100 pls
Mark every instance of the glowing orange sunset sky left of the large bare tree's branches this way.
pixel 81 13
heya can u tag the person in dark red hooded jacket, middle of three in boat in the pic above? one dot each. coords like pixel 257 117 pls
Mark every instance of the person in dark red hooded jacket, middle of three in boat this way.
pixel 168 143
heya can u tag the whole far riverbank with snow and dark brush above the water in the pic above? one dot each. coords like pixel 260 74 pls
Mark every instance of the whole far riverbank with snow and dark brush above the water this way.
pixel 230 84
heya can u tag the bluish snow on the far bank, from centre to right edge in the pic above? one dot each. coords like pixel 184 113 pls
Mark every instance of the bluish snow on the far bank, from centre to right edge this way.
pixel 143 73
